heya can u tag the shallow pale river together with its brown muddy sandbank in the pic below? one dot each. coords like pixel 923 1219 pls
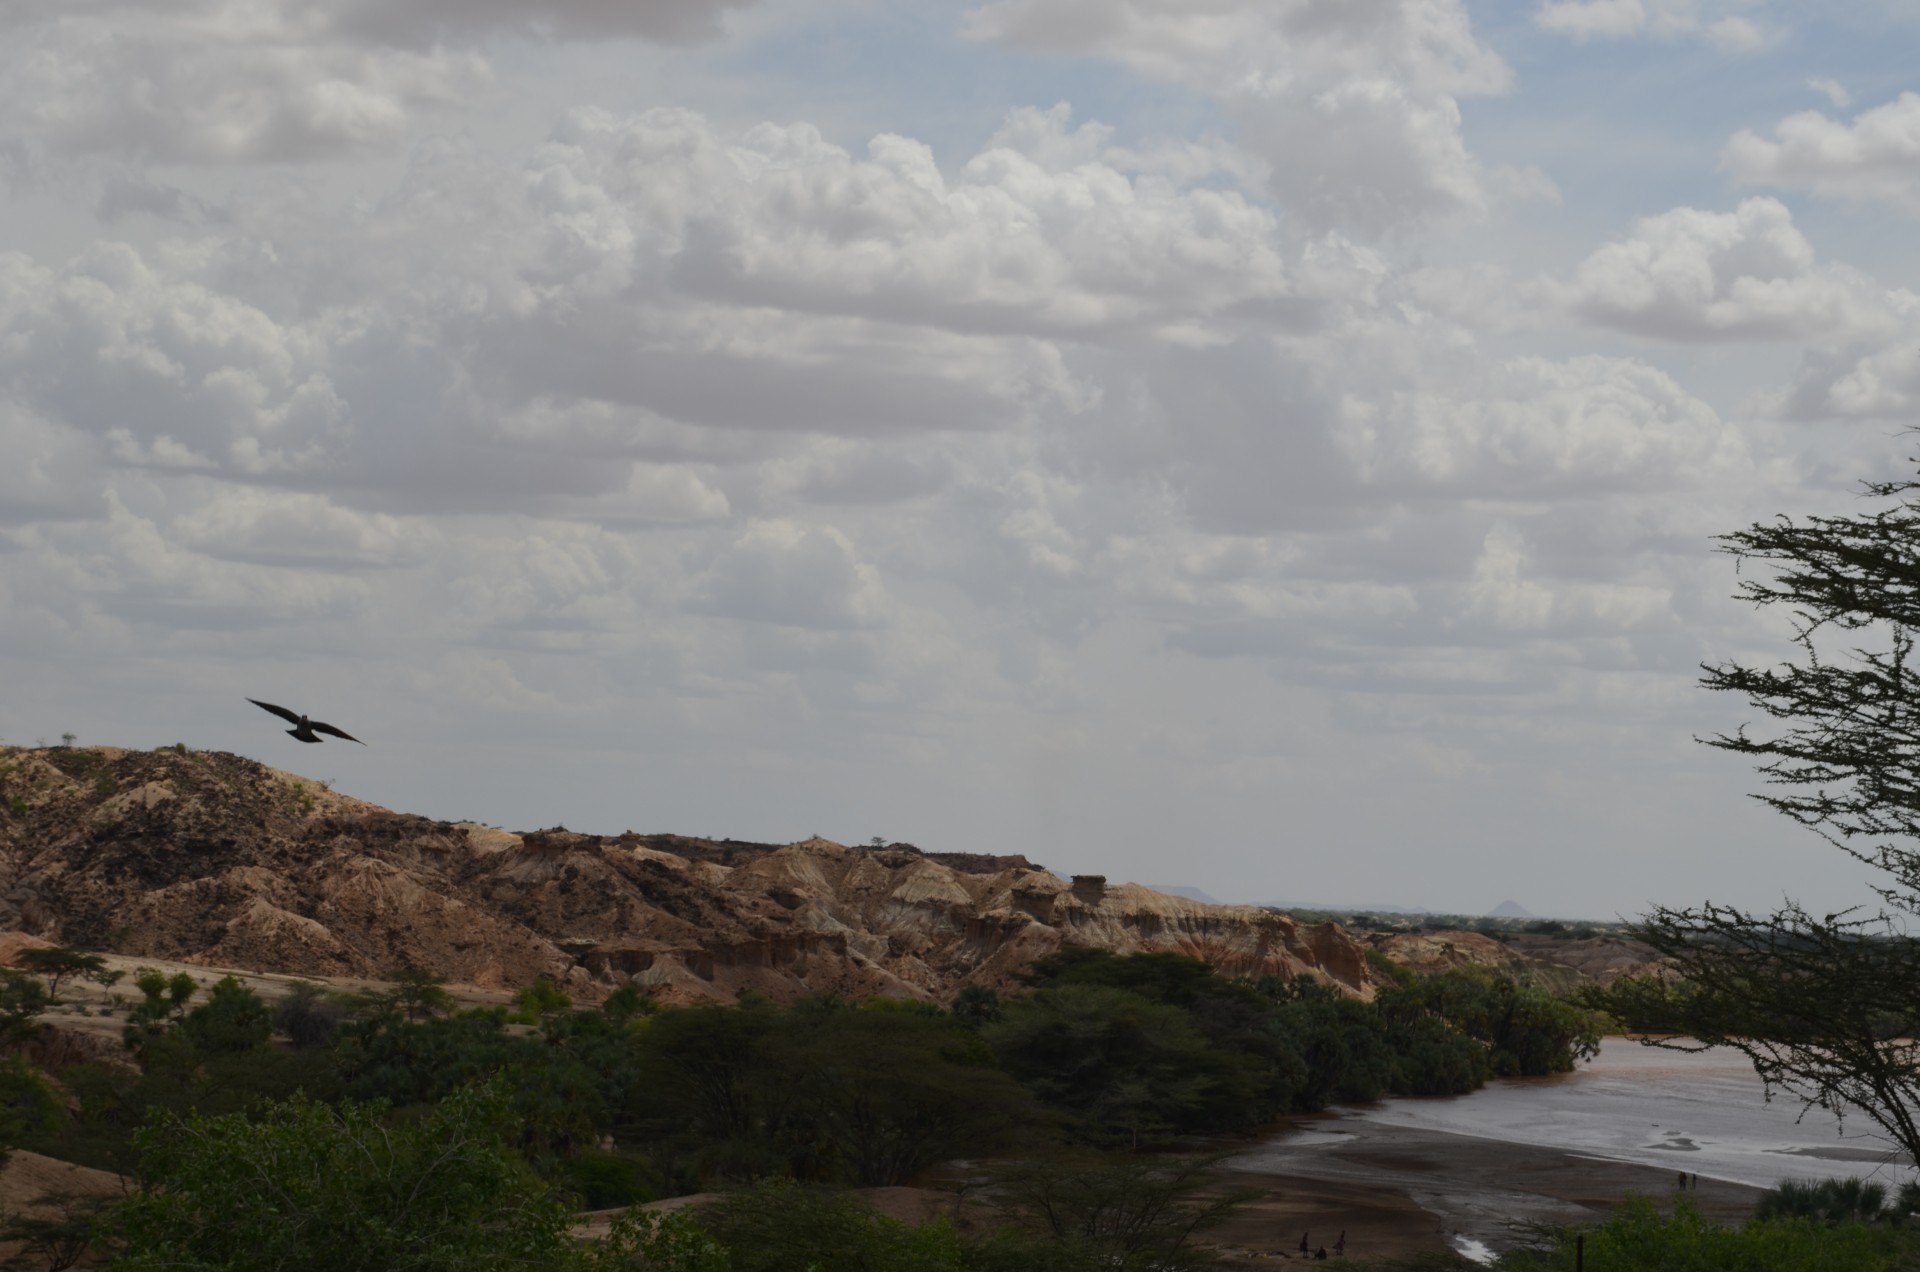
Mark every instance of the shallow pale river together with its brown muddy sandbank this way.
pixel 1477 1171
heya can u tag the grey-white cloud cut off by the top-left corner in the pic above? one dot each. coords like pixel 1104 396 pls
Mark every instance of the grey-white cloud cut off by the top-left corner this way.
pixel 274 82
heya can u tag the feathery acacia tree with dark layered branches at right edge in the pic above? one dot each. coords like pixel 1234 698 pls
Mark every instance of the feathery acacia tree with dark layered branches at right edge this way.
pixel 1827 1008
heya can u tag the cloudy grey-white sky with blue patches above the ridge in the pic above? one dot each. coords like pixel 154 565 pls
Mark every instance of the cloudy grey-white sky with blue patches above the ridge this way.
pixel 1266 447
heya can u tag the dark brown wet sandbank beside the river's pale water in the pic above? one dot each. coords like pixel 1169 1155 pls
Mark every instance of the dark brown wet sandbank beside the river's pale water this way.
pixel 1403 1192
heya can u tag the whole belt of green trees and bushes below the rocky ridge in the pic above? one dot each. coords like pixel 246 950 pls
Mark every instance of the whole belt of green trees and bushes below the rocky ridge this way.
pixel 396 1131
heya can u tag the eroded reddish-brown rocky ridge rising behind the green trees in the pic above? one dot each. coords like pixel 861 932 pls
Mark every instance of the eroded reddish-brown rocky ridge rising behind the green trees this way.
pixel 218 860
